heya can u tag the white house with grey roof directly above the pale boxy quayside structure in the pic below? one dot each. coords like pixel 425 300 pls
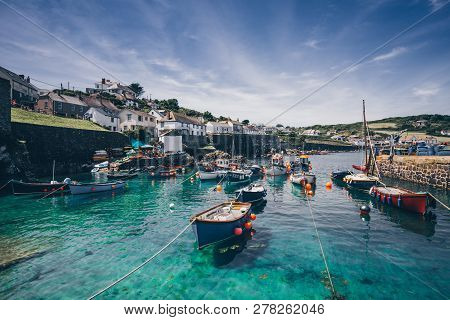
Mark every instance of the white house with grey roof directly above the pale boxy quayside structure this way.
pixel 187 125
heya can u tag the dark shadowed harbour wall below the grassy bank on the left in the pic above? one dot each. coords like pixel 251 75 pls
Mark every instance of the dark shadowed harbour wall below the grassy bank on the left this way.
pixel 70 148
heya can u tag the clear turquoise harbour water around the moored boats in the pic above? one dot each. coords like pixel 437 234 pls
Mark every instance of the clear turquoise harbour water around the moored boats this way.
pixel 73 246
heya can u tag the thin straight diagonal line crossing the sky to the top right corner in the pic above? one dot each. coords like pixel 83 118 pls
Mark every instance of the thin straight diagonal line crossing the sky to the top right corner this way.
pixel 353 65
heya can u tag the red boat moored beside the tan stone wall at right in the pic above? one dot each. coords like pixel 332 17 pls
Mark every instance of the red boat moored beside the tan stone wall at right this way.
pixel 401 198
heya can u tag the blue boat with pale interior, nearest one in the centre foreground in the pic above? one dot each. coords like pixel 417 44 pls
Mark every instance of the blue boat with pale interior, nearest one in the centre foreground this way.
pixel 221 222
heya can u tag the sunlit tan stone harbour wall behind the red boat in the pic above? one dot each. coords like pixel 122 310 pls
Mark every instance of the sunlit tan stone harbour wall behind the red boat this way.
pixel 428 170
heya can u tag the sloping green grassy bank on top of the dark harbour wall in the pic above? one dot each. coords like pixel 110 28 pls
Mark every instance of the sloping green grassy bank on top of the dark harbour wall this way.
pixel 23 116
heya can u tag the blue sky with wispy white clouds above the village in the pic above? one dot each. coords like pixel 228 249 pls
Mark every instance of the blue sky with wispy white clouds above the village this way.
pixel 243 59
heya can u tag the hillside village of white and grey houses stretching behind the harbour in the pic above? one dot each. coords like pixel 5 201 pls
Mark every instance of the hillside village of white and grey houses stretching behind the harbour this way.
pixel 121 108
